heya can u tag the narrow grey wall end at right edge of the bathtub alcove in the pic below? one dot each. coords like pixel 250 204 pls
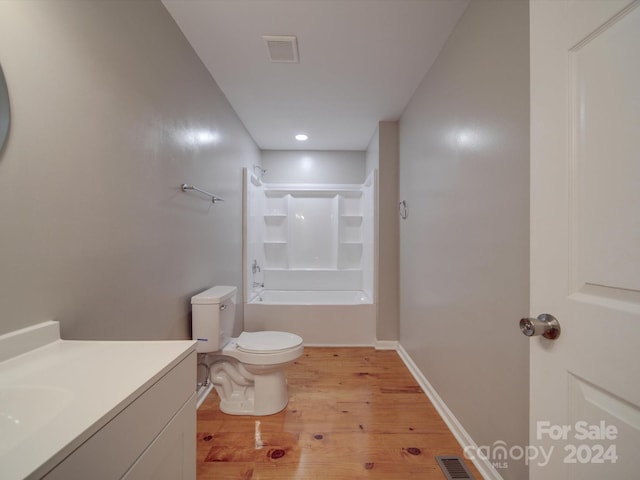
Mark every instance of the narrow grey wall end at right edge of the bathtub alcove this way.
pixel 382 154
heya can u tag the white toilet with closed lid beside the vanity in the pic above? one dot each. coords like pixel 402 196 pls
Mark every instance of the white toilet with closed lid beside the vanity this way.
pixel 248 371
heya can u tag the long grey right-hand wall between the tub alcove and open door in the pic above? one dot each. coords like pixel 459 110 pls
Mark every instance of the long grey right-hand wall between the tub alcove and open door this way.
pixel 464 172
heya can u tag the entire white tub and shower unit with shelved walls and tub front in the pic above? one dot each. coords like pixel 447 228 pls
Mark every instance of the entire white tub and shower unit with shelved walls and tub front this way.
pixel 309 265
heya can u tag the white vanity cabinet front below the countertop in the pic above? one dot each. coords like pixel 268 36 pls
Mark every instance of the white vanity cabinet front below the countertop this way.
pixel 154 437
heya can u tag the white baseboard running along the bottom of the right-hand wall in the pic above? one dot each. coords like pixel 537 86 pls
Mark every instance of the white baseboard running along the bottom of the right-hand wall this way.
pixel 485 468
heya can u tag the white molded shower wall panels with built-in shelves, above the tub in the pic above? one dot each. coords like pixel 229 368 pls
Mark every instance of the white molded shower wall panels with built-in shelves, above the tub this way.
pixel 310 237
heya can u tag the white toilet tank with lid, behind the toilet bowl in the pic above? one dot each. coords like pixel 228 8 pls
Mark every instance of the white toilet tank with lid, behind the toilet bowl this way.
pixel 212 317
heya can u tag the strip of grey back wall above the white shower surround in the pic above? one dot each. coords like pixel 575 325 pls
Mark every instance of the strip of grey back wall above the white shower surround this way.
pixel 313 166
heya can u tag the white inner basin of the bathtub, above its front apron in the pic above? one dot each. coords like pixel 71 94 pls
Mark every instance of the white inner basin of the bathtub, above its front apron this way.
pixel 310 297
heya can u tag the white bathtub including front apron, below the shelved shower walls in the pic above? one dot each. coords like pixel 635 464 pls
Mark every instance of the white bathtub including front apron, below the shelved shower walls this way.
pixel 331 318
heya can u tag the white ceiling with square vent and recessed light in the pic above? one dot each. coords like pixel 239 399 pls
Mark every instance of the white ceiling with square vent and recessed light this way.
pixel 360 62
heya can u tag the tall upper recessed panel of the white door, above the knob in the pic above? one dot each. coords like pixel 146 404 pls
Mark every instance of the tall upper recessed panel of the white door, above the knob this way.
pixel 606 193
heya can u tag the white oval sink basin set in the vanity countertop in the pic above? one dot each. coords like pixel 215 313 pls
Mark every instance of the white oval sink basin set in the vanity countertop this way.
pixel 24 410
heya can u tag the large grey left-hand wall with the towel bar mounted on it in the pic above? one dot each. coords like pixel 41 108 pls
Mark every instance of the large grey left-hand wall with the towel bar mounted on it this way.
pixel 112 112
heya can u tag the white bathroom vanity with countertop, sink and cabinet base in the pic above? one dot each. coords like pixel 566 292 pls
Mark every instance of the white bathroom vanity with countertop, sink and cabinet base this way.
pixel 73 409
